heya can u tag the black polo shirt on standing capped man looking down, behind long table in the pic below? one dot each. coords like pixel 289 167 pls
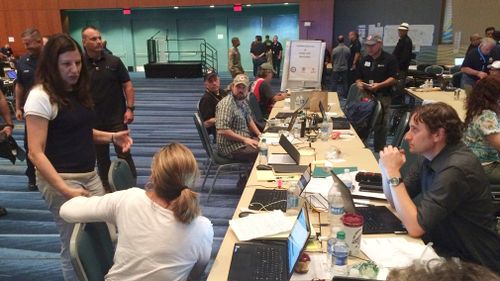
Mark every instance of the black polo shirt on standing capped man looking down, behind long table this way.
pixel 378 70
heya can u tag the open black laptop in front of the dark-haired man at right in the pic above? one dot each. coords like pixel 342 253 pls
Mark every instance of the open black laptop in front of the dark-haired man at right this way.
pixel 377 219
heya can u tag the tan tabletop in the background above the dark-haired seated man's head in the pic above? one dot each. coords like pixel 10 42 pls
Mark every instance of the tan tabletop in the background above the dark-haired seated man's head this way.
pixel 441 96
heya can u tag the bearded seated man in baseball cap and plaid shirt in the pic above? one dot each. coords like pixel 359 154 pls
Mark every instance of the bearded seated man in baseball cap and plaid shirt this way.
pixel 236 130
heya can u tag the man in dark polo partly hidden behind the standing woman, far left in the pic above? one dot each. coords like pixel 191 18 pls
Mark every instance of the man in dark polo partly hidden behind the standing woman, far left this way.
pixel 26 65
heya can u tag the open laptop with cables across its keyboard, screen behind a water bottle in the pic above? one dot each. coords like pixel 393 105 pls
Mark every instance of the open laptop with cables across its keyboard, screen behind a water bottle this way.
pixel 276 199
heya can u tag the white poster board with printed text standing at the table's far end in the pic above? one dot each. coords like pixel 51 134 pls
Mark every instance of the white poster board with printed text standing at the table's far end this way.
pixel 303 65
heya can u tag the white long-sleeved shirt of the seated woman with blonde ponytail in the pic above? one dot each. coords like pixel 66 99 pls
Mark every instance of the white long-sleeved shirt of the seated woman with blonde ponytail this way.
pixel 152 243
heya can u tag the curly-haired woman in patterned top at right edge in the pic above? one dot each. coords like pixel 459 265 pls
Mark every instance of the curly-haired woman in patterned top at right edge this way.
pixel 482 134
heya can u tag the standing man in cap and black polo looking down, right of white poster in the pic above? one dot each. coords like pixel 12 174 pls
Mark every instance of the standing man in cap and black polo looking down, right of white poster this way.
pixel 378 69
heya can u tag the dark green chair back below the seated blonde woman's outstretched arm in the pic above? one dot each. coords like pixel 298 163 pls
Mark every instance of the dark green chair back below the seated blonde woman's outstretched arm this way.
pixel 91 251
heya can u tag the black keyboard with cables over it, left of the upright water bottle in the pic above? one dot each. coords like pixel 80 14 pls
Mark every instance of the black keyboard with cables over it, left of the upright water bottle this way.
pixel 268 199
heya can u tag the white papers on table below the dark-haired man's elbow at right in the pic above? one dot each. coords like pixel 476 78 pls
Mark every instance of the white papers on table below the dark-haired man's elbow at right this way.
pixel 397 251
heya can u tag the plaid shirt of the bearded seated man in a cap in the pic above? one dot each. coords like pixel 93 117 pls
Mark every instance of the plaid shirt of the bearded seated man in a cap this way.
pixel 233 116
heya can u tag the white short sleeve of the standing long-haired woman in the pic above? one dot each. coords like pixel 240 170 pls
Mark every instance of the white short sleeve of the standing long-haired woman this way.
pixel 38 103
